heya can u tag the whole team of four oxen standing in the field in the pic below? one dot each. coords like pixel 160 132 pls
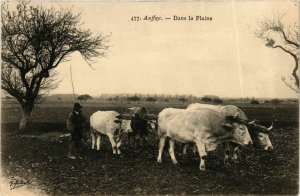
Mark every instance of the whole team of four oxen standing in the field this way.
pixel 206 126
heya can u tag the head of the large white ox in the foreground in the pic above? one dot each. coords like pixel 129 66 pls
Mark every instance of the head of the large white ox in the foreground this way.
pixel 239 129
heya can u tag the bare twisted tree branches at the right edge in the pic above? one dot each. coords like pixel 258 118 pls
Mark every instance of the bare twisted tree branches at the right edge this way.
pixel 286 38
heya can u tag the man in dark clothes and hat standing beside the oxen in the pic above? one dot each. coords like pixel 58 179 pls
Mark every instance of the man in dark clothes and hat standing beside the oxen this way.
pixel 75 124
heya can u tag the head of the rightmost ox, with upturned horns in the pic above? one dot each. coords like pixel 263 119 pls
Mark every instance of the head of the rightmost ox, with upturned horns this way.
pixel 260 135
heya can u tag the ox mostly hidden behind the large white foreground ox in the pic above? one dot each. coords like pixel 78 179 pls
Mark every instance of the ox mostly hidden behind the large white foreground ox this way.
pixel 258 133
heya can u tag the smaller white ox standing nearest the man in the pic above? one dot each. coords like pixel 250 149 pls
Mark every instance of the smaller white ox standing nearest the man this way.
pixel 107 123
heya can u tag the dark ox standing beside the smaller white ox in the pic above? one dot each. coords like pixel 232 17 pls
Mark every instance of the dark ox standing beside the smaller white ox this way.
pixel 142 123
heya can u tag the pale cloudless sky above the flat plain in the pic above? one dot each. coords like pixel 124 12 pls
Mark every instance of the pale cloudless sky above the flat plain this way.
pixel 220 57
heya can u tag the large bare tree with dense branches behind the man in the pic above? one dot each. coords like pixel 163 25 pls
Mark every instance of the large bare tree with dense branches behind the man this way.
pixel 35 40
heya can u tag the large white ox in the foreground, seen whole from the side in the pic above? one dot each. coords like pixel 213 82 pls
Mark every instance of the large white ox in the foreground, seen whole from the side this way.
pixel 205 127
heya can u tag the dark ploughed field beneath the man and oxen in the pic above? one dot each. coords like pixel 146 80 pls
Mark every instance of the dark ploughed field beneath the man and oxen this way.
pixel 39 157
